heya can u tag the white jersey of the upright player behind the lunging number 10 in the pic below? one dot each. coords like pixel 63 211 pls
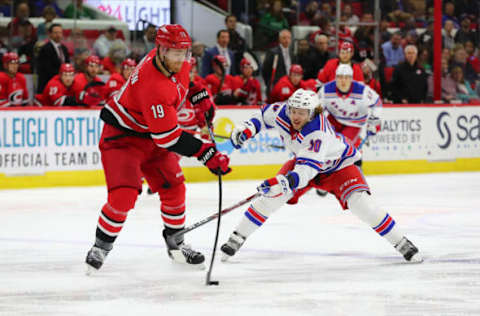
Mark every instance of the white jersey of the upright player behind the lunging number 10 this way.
pixel 353 108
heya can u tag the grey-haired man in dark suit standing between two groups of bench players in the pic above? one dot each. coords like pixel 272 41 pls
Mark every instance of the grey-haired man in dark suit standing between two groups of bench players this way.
pixel 272 72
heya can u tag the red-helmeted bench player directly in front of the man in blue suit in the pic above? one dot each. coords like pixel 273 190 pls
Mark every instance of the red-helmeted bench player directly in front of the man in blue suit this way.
pixel 220 83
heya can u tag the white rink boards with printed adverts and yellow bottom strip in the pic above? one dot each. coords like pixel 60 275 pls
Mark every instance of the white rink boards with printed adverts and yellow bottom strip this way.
pixel 59 146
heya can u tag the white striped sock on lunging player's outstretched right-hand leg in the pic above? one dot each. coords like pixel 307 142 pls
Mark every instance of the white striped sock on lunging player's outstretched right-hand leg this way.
pixel 362 205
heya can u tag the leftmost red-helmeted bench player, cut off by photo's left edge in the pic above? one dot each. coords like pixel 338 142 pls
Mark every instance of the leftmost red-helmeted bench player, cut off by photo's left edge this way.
pixel 13 86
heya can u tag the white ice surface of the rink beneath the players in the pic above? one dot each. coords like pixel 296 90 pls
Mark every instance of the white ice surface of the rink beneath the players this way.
pixel 309 259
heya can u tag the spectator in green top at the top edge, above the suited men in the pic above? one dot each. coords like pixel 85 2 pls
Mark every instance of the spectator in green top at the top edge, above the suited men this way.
pixel 272 22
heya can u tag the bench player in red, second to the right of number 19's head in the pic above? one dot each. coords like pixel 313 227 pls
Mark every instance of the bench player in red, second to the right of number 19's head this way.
pixel 246 89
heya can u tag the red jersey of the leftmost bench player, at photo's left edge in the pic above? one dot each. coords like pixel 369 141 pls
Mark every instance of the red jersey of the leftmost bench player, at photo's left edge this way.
pixel 13 90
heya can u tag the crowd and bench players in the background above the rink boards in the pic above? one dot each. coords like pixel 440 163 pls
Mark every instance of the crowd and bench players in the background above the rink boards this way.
pixel 277 64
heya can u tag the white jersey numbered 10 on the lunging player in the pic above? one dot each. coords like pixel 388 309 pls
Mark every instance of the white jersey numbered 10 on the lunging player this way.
pixel 317 148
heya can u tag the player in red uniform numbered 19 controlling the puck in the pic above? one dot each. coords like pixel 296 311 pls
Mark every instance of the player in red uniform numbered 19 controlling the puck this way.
pixel 141 137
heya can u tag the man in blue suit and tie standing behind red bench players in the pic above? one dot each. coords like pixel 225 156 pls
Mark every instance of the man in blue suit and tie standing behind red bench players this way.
pixel 221 48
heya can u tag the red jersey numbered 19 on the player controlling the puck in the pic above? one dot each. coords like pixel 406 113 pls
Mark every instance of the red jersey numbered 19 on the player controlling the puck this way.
pixel 149 101
